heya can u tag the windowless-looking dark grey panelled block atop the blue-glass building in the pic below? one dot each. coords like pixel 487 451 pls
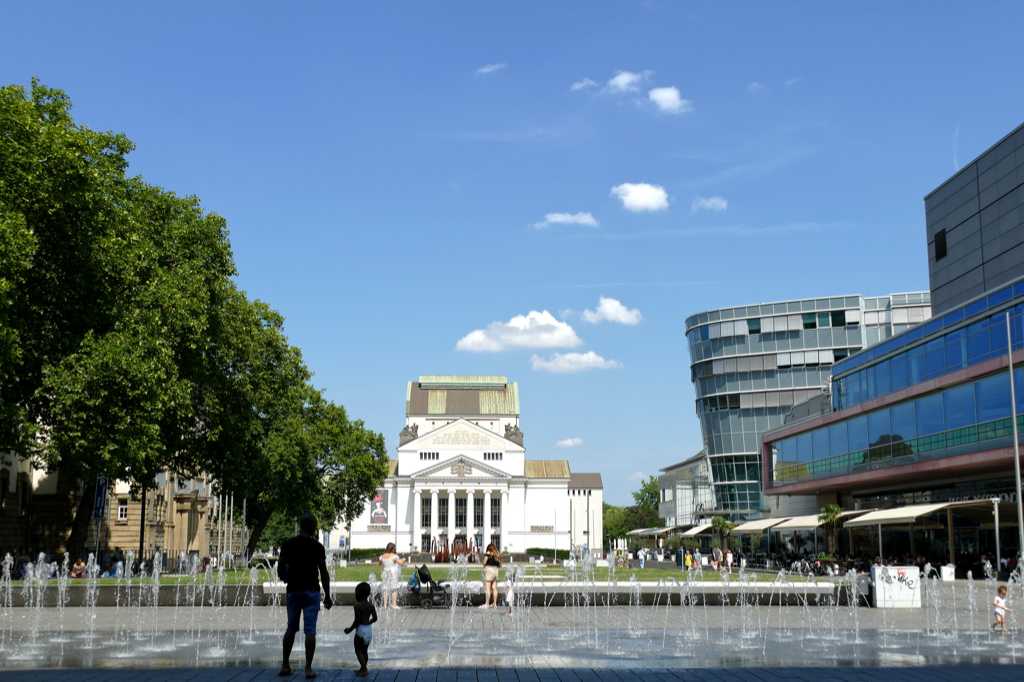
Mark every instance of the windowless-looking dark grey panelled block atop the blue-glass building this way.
pixel 976 226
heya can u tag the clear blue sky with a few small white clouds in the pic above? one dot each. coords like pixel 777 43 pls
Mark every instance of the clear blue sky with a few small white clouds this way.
pixel 385 169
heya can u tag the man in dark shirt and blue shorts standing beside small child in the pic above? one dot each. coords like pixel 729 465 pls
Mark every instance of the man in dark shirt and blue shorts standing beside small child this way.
pixel 302 559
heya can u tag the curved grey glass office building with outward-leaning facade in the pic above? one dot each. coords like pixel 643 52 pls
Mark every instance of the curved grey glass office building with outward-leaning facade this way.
pixel 751 365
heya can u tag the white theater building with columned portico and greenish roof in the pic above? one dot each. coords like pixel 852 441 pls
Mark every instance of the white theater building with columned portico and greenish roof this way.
pixel 462 475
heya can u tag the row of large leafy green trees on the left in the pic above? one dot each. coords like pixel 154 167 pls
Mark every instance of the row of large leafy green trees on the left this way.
pixel 126 349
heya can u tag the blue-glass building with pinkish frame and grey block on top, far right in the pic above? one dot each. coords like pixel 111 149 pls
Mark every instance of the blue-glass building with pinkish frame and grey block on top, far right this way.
pixel 926 416
